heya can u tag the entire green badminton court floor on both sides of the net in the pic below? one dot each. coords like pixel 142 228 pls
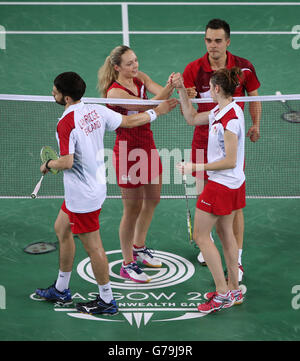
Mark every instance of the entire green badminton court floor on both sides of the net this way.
pixel 164 309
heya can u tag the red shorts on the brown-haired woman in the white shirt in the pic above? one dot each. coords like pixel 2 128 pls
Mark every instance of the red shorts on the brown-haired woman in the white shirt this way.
pixel 221 200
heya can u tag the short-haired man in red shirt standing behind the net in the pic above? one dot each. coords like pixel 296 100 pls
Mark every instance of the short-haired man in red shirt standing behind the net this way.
pixel 196 79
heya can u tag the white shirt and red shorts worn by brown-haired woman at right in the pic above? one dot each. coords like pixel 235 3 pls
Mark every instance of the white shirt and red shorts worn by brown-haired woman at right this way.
pixel 225 189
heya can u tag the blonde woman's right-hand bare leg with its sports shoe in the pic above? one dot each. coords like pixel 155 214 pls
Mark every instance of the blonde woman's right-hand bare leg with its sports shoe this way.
pixel 151 198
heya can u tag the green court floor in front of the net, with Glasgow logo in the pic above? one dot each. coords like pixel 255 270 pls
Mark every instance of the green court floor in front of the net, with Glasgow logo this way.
pixel 164 311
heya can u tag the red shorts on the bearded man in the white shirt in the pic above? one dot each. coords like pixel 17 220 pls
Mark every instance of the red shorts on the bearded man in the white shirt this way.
pixel 82 222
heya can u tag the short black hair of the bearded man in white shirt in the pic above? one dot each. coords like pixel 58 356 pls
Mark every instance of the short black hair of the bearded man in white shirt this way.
pixel 70 84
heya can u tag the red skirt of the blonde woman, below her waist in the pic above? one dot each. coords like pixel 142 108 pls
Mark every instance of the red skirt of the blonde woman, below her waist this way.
pixel 136 167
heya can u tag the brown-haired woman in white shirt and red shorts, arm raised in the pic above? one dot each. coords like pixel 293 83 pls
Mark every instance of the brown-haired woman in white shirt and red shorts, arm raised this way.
pixel 224 192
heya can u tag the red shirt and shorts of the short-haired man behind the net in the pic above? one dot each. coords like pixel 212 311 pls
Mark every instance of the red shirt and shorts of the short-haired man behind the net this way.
pixel 198 74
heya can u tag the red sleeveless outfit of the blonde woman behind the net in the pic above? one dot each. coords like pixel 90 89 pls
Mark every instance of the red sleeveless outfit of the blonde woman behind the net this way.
pixel 136 159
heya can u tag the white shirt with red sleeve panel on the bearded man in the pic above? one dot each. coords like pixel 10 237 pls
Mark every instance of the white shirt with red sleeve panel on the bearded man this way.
pixel 80 131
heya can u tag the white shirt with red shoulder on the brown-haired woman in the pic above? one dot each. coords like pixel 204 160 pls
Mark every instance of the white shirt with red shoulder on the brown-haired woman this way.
pixel 229 118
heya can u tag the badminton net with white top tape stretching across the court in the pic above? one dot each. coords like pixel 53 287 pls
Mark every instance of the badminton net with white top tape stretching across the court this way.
pixel 272 164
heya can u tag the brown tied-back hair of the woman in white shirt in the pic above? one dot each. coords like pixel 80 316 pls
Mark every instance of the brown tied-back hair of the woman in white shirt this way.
pixel 227 79
